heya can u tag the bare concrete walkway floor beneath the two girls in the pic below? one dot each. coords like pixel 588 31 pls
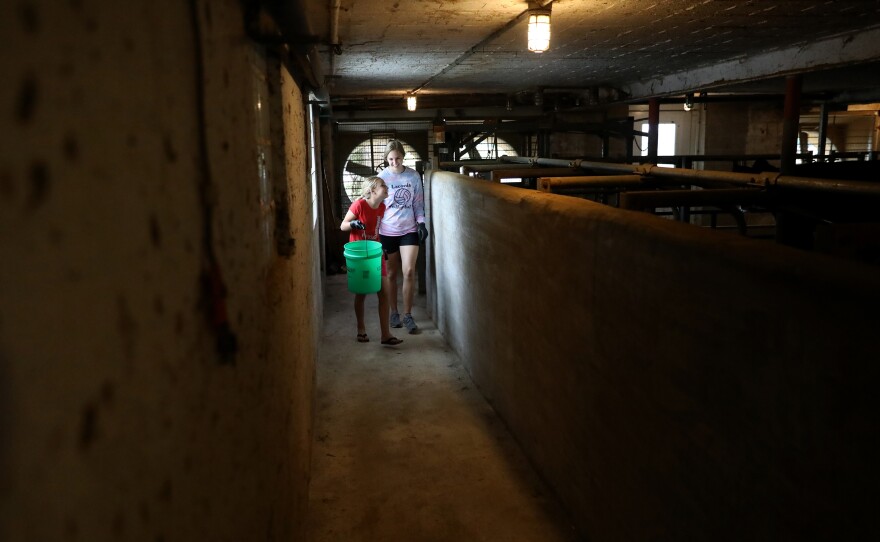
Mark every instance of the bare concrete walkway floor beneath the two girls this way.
pixel 406 448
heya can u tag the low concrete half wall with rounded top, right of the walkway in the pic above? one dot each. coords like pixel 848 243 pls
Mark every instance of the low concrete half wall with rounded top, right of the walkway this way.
pixel 670 382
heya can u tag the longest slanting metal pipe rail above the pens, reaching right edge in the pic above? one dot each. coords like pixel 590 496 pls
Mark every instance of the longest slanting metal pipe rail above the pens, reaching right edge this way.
pixel 765 179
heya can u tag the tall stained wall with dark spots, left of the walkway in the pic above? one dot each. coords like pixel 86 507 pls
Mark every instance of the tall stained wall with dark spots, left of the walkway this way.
pixel 145 207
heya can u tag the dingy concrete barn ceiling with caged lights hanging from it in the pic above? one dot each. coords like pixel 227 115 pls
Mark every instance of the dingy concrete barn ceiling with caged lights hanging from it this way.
pixel 459 50
